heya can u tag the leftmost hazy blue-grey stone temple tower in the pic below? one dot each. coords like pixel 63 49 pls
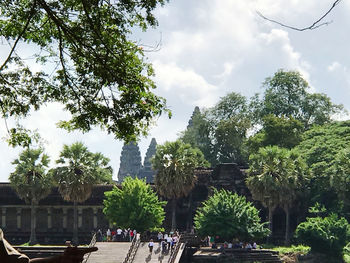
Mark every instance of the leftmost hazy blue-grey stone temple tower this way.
pixel 130 161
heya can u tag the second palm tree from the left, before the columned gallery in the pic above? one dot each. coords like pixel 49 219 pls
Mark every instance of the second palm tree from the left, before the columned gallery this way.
pixel 78 170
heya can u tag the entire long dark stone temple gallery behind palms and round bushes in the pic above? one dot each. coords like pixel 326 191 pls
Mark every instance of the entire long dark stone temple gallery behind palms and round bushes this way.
pixel 55 216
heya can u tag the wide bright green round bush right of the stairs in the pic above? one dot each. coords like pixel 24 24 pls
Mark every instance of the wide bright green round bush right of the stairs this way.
pixel 229 216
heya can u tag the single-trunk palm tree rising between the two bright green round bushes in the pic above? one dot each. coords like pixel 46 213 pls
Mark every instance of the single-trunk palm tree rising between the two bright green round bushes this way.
pixel 175 163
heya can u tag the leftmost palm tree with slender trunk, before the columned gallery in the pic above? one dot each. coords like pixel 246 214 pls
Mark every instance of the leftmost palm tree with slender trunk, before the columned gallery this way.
pixel 31 181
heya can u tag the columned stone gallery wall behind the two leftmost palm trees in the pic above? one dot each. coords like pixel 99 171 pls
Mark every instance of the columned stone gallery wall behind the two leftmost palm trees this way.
pixel 54 216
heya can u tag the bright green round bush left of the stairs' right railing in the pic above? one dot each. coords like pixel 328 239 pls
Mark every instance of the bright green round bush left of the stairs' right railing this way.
pixel 134 206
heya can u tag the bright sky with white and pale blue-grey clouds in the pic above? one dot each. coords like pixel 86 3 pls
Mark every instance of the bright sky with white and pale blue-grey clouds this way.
pixel 209 48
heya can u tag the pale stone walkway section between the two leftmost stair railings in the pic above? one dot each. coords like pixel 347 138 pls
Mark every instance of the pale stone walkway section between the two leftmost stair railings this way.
pixel 110 252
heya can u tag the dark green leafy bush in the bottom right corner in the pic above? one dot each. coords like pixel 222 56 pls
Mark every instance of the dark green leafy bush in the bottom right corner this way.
pixel 324 235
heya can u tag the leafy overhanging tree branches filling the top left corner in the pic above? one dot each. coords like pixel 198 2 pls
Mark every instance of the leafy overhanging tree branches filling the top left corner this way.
pixel 92 66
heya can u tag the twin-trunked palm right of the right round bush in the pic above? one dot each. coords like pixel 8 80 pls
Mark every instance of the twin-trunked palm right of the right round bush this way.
pixel 274 178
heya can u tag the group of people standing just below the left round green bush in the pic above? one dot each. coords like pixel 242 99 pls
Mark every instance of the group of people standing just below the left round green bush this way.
pixel 115 235
